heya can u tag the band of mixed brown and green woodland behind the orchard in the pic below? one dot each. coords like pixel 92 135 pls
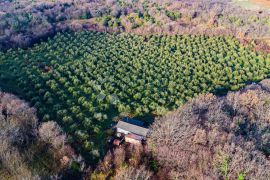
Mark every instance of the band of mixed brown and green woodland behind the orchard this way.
pixel 22 23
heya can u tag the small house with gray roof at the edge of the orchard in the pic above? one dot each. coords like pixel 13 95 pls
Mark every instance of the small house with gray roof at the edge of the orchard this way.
pixel 131 130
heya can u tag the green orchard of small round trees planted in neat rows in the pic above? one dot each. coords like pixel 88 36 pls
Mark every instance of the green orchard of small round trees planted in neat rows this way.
pixel 85 79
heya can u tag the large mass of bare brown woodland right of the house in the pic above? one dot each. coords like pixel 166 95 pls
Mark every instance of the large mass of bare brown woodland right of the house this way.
pixel 216 137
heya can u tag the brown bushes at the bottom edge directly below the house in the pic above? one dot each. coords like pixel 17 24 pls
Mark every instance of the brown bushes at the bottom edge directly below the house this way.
pixel 125 162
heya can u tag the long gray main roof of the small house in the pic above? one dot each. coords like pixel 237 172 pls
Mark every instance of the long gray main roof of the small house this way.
pixel 132 128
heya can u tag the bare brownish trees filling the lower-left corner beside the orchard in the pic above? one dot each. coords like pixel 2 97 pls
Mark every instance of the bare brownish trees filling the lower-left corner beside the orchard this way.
pixel 23 142
